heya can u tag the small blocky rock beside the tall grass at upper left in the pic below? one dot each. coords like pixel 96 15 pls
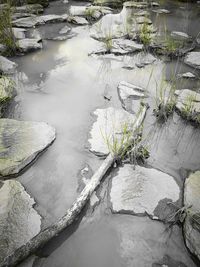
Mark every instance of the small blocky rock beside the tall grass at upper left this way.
pixel 28 45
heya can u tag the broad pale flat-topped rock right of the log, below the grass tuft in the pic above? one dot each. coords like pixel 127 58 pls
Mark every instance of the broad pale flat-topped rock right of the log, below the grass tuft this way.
pixel 139 190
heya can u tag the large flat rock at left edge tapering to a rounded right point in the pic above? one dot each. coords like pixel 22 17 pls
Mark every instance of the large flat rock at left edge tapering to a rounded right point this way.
pixel 21 142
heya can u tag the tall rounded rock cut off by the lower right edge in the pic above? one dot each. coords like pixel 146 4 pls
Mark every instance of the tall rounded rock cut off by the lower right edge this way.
pixel 192 221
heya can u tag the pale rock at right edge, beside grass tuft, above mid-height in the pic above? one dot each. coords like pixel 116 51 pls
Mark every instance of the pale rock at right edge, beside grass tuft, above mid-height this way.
pixel 188 99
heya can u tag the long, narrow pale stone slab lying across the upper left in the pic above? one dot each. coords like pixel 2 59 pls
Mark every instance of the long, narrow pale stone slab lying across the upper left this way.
pixel 33 21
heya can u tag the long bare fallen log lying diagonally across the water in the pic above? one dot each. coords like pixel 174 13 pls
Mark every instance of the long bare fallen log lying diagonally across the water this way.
pixel 47 234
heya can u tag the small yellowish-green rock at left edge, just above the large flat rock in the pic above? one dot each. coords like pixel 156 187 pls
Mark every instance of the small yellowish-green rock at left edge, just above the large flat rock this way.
pixel 7 92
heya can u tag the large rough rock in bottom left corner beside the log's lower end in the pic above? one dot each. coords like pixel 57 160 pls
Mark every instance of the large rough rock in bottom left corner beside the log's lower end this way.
pixel 19 221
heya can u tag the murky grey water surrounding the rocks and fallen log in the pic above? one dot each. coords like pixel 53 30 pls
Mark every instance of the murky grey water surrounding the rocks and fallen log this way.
pixel 62 85
